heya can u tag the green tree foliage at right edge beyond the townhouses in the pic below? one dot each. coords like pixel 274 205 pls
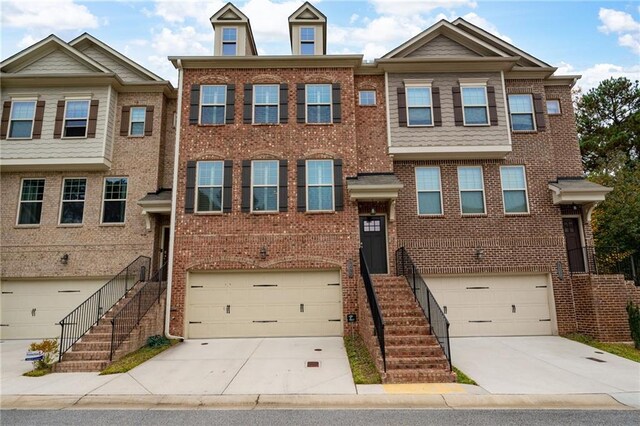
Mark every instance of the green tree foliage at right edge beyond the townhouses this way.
pixel 608 119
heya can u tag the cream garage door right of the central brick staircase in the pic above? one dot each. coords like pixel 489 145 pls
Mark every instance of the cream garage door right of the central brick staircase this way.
pixel 501 305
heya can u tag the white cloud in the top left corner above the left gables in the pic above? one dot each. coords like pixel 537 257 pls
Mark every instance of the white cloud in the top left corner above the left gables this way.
pixel 47 16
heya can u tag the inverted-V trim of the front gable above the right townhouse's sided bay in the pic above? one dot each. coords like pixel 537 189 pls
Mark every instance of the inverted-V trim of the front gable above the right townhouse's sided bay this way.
pixel 450 31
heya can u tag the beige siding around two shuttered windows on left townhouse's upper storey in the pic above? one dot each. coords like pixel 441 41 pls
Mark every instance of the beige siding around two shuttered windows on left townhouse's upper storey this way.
pixel 47 147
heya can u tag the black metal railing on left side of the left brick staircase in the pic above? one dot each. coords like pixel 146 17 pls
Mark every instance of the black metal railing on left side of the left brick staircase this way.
pixel 85 316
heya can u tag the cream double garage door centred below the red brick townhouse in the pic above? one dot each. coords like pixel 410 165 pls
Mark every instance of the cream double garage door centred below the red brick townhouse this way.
pixel 241 304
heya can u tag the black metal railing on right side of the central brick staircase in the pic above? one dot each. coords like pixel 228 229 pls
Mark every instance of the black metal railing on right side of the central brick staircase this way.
pixel 438 323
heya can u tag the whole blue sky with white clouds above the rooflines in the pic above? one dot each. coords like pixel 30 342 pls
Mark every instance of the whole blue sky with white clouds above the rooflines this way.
pixel 597 39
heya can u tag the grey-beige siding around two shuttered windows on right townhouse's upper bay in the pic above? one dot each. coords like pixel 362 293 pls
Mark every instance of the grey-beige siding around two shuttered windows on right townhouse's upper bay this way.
pixel 448 134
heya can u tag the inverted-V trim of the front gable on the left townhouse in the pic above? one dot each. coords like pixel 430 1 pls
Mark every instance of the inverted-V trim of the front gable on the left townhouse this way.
pixel 44 47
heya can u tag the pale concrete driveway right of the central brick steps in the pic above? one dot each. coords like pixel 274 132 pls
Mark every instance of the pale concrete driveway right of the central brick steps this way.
pixel 545 365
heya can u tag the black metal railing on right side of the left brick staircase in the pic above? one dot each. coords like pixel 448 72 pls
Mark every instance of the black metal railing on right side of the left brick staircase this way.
pixel 129 316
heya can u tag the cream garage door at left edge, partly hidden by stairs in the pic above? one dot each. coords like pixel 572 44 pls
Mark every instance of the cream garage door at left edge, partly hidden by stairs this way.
pixel 30 309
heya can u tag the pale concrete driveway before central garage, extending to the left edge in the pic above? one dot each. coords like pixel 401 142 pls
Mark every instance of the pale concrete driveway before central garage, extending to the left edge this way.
pixel 203 367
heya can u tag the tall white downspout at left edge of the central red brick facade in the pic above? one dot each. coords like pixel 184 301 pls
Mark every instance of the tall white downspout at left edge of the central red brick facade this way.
pixel 174 199
